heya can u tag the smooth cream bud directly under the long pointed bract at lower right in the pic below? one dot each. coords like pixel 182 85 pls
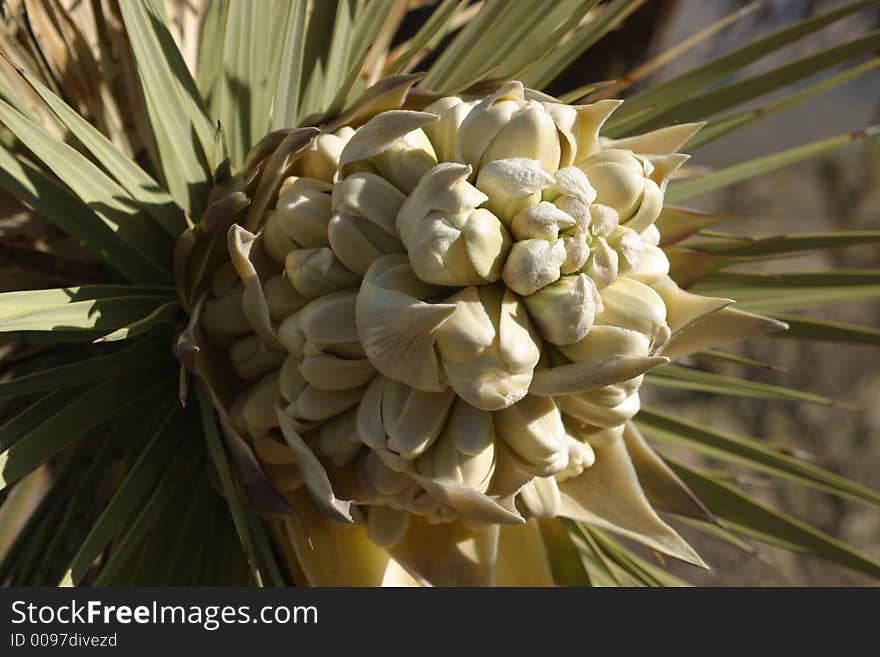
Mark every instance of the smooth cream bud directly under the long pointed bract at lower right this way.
pixel 533 429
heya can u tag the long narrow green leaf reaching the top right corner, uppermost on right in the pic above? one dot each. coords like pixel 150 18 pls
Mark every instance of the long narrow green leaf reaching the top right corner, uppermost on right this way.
pixel 696 80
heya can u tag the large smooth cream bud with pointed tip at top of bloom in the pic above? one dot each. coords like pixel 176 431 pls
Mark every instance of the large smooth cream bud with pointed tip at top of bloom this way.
pixel 506 125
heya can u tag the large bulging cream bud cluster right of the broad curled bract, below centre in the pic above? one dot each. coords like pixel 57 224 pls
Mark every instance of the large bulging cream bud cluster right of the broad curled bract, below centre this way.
pixel 488 347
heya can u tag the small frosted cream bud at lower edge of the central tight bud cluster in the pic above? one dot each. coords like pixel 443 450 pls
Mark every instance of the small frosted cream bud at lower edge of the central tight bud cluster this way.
pixel 564 311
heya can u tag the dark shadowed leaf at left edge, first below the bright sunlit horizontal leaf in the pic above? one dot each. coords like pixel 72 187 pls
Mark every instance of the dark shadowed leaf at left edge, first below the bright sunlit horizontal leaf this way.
pixel 139 356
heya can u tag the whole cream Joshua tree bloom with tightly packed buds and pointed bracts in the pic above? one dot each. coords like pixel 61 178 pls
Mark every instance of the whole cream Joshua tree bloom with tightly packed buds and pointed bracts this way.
pixel 440 320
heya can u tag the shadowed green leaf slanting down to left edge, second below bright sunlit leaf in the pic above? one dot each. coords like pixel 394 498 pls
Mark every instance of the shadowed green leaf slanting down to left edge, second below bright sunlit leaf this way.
pixel 58 430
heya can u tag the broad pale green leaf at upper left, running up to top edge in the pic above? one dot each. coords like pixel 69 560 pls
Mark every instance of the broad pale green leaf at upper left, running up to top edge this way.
pixel 183 133
